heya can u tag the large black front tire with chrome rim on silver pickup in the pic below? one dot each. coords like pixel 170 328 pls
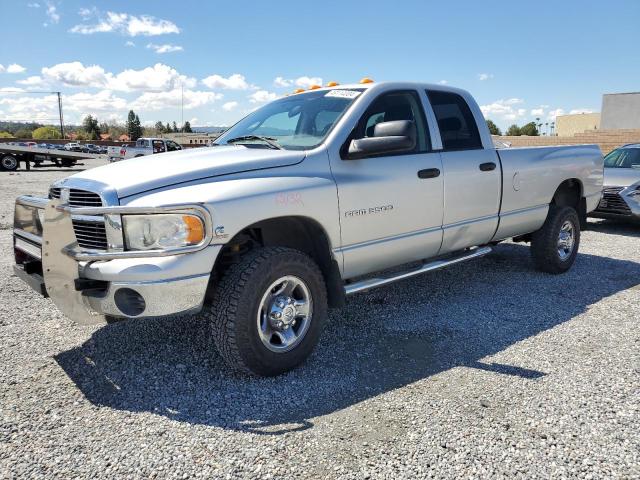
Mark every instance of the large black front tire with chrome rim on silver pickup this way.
pixel 268 311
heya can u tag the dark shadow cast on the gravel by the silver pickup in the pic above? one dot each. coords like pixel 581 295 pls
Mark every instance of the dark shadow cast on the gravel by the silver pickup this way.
pixel 381 341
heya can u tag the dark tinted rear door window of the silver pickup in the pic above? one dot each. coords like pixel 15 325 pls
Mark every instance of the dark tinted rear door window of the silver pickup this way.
pixel 457 126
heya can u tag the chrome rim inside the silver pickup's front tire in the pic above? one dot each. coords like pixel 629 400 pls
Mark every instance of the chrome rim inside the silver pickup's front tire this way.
pixel 284 314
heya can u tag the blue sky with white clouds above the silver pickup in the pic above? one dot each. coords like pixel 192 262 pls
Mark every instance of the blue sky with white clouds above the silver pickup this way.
pixel 520 60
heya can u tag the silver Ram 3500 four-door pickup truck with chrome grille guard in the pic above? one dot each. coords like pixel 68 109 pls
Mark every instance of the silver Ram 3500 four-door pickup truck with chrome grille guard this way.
pixel 309 199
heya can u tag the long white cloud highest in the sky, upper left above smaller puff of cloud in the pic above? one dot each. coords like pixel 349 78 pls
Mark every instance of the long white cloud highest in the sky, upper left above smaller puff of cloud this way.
pixel 127 24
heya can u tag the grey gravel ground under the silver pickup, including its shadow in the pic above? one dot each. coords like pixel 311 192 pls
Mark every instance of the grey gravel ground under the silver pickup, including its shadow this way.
pixel 484 369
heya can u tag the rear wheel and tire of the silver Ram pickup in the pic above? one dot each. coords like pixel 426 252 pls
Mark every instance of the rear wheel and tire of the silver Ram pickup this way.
pixel 555 246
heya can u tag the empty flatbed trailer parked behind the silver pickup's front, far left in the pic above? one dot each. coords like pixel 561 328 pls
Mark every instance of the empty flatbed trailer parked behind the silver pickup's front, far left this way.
pixel 12 155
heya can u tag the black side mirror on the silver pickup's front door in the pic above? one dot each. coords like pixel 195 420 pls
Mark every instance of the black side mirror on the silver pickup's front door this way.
pixel 388 137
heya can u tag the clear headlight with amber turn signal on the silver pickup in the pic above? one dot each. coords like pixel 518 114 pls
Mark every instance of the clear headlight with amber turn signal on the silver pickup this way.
pixel 162 231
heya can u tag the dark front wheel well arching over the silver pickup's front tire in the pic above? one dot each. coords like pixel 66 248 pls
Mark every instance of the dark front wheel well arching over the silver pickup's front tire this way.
pixel 300 233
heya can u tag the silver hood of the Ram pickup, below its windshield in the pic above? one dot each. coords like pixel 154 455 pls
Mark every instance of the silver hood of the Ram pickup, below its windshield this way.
pixel 137 175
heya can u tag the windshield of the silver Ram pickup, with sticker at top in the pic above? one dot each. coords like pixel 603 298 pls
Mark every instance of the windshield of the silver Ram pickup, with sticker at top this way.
pixel 297 122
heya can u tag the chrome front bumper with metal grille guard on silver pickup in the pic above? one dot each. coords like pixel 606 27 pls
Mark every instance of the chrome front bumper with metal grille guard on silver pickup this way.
pixel 88 290
